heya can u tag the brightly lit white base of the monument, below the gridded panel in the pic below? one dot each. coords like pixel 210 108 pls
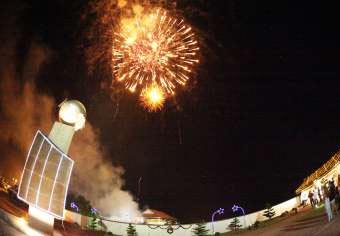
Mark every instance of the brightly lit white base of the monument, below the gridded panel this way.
pixel 40 221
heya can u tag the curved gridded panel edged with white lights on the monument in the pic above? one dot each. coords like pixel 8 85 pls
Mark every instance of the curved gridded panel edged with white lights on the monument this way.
pixel 46 176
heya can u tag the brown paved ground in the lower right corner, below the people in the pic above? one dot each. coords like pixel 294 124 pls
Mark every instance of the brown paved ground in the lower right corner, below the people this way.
pixel 311 222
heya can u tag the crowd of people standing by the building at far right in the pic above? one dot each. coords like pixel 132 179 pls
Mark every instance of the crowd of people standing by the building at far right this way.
pixel 328 194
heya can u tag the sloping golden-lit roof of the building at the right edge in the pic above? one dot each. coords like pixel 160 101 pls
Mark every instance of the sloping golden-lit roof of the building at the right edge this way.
pixel 319 173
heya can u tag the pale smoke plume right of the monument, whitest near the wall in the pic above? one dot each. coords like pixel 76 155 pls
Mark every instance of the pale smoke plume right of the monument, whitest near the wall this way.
pixel 102 181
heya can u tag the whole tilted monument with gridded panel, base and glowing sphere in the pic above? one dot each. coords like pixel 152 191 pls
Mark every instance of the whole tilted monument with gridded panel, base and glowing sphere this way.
pixel 47 171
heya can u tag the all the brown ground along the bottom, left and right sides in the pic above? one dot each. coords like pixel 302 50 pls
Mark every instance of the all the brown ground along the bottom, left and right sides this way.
pixel 308 221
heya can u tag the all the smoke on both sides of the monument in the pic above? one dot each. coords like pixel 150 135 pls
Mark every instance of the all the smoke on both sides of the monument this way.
pixel 24 110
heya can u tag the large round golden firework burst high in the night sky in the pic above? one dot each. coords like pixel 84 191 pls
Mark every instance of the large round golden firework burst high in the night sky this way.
pixel 153 48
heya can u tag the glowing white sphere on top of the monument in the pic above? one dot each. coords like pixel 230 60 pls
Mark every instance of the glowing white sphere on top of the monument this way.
pixel 73 113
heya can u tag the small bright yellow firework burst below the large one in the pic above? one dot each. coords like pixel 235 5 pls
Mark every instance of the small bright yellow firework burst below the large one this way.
pixel 152 97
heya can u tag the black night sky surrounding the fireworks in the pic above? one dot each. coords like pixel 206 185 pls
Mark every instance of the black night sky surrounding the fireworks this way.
pixel 263 114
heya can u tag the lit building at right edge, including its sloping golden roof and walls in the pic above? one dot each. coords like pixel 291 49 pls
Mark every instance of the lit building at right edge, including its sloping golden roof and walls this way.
pixel 328 171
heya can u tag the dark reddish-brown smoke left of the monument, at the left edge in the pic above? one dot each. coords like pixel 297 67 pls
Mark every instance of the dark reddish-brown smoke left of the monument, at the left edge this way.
pixel 23 110
